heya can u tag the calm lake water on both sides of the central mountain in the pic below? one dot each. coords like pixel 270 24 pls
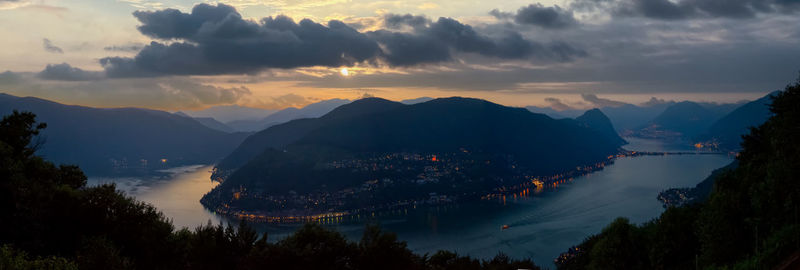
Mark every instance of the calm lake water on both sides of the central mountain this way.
pixel 541 227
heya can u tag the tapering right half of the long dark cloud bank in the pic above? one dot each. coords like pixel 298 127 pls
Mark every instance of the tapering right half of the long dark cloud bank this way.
pixel 431 42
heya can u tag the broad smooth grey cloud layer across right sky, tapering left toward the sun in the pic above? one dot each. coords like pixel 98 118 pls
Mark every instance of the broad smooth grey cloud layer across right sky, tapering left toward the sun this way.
pixel 623 60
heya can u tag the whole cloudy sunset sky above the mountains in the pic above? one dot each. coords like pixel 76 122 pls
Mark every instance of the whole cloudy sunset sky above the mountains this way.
pixel 272 54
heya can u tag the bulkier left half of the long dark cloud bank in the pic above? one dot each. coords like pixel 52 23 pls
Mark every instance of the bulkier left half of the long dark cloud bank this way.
pixel 217 40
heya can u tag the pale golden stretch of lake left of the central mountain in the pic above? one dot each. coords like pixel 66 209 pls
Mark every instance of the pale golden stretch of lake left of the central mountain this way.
pixel 177 196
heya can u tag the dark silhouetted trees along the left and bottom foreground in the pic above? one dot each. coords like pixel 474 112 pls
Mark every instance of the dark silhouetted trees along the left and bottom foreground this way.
pixel 50 219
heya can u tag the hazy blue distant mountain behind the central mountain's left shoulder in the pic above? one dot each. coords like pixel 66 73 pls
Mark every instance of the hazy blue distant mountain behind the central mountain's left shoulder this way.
pixel 309 111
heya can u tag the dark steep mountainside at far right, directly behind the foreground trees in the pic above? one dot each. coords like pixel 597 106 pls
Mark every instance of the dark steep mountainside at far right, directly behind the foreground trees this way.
pixel 728 130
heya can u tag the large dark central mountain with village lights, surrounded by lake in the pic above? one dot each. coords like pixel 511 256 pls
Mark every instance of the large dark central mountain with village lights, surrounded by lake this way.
pixel 377 152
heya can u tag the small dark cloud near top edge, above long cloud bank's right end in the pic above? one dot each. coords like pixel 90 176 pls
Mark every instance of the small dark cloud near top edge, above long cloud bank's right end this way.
pixel 553 17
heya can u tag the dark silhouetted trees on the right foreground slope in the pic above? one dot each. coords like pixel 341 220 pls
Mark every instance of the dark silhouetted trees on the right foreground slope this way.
pixel 750 221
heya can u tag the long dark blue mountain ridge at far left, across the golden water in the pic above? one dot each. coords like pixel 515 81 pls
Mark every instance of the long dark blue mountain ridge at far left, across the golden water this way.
pixel 125 140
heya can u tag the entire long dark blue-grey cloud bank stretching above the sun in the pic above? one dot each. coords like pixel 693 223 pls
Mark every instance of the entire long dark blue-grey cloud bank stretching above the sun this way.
pixel 217 40
